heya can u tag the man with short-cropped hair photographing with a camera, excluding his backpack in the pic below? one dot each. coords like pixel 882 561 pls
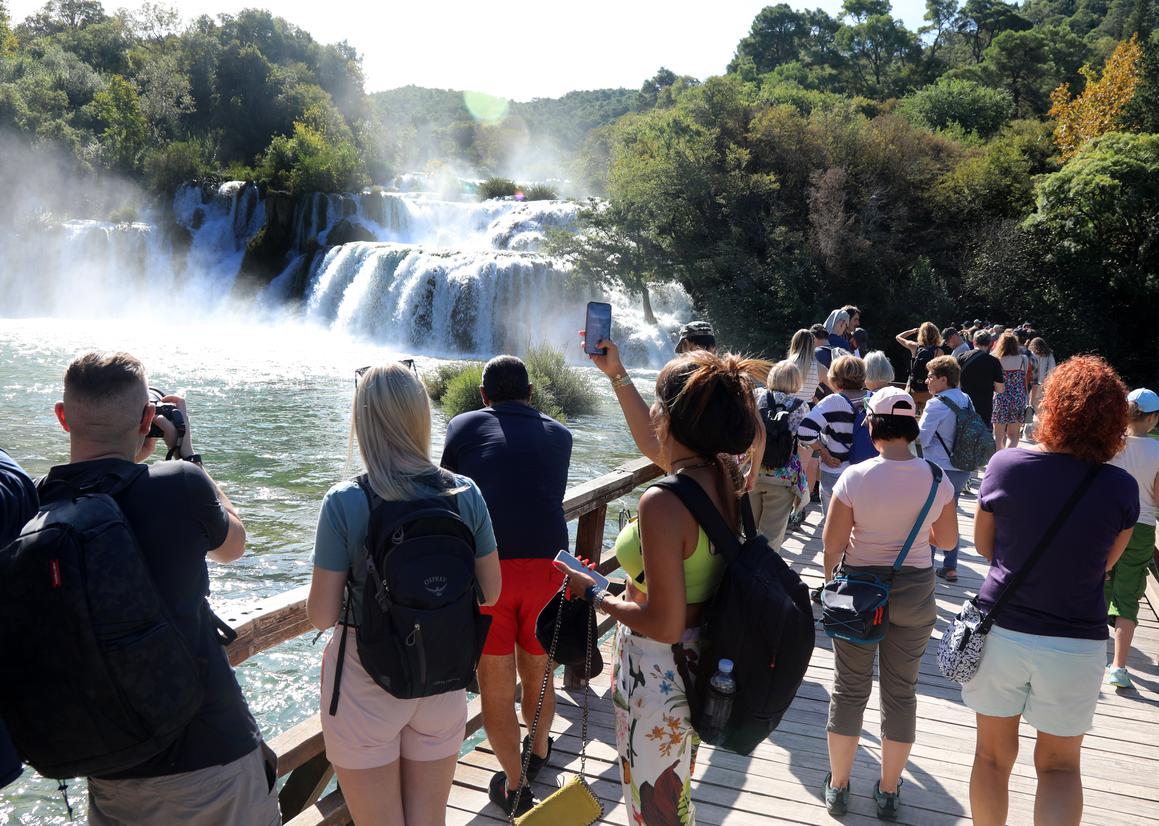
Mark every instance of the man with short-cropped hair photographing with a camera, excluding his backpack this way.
pixel 216 773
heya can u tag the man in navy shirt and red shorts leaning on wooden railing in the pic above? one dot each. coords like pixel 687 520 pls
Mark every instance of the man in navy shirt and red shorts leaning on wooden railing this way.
pixel 520 459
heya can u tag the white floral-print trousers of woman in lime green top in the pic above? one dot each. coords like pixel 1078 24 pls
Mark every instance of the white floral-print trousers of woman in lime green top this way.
pixel 654 735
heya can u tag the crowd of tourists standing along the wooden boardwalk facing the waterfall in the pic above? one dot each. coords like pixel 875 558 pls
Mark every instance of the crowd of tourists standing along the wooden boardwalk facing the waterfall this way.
pixel 433 575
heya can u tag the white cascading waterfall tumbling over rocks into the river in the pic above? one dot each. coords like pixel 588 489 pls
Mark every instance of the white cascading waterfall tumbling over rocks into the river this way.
pixel 400 268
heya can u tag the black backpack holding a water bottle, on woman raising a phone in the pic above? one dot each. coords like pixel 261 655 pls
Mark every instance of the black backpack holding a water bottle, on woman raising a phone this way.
pixel 761 618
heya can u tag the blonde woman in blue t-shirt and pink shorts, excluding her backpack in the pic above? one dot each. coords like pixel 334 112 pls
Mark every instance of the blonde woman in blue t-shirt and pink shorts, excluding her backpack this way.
pixel 395 758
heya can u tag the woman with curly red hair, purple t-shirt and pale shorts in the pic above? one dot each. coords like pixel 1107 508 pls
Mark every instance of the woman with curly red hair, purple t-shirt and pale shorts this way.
pixel 1045 656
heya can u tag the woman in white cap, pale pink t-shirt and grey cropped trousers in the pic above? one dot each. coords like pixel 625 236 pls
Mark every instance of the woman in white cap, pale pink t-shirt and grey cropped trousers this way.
pixel 874 508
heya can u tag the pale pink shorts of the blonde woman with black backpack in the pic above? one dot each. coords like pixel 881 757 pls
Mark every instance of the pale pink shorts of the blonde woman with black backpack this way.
pixel 374 729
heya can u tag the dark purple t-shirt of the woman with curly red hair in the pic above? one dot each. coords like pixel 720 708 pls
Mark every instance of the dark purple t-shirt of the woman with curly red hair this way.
pixel 1062 596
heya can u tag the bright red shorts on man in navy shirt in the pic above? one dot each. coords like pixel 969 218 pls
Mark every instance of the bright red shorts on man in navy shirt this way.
pixel 528 587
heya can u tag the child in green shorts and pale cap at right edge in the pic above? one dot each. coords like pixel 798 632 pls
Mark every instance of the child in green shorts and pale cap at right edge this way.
pixel 1128 579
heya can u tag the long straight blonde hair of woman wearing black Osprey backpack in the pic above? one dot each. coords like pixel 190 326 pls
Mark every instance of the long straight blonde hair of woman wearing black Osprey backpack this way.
pixel 392 425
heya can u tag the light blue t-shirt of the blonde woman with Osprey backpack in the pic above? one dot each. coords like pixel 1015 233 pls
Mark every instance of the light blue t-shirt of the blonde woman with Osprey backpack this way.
pixel 342 531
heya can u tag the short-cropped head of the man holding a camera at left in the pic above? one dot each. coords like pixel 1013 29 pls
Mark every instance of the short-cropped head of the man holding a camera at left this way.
pixel 106 400
